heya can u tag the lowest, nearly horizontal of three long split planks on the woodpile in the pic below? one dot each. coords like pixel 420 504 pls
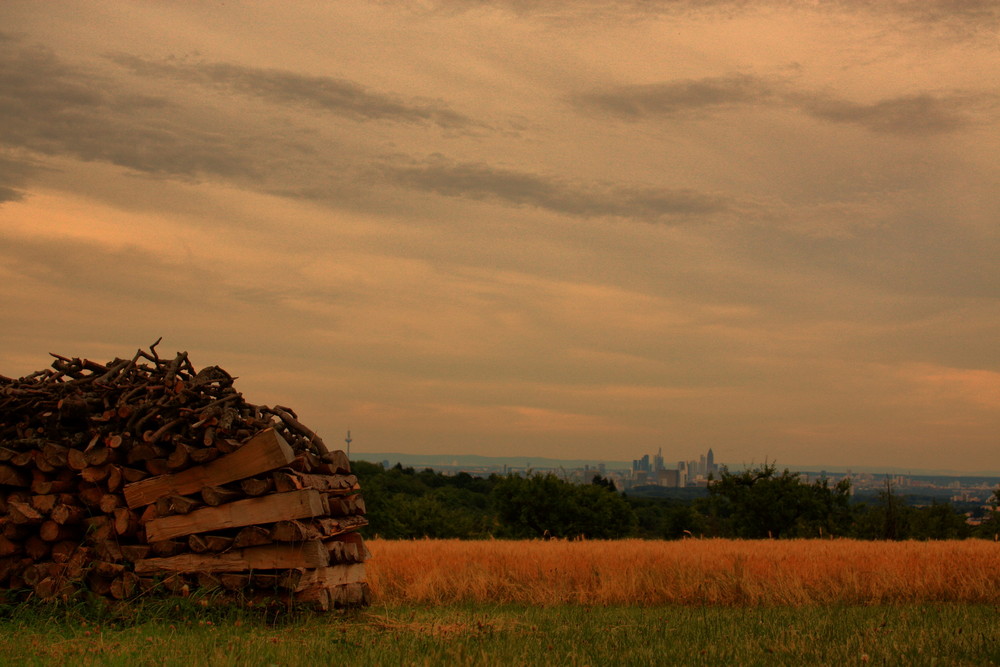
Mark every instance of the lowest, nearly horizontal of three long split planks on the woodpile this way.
pixel 270 557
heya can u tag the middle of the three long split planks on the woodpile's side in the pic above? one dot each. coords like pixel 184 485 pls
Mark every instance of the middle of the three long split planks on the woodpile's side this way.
pixel 266 509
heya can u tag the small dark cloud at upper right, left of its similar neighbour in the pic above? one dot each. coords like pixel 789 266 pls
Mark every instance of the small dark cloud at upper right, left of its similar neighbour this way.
pixel 676 98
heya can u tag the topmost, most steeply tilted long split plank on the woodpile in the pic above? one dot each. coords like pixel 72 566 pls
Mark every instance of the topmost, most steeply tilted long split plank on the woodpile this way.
pixel 262 453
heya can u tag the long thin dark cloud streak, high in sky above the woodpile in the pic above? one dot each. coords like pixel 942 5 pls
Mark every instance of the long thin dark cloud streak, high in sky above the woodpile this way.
pixel 333 95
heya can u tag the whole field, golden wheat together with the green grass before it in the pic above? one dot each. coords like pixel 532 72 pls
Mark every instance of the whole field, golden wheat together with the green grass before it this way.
pixel 538 603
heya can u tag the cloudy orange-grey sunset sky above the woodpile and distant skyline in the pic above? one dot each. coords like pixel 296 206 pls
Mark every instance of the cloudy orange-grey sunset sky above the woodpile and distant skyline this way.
pixel 571 230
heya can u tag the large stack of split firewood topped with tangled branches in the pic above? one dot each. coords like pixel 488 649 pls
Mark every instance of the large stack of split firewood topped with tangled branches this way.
pixel 145 474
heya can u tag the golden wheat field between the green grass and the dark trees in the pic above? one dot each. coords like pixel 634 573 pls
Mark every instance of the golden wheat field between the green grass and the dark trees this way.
pixel 688 572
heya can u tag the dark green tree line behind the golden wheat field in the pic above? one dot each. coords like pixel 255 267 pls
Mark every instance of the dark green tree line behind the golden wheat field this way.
pixel 756 503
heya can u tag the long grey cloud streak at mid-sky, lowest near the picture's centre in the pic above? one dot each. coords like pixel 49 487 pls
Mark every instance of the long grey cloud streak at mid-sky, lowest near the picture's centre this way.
pixel 481 181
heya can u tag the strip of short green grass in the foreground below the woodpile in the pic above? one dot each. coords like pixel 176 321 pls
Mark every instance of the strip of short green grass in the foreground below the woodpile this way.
pixel 186 634
